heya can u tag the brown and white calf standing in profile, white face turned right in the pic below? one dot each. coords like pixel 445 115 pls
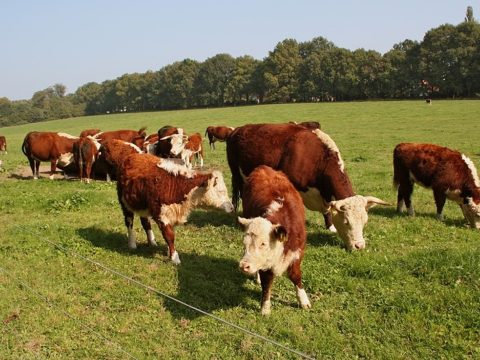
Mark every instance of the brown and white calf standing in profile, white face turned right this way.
pixel 166 192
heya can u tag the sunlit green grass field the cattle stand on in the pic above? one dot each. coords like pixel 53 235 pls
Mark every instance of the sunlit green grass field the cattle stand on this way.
pixel 414 293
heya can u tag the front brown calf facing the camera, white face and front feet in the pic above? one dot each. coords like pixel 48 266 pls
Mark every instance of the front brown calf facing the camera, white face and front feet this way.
pixel 275 232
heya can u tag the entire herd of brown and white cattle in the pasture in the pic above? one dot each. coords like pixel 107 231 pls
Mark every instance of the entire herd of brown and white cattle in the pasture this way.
pixel 277 170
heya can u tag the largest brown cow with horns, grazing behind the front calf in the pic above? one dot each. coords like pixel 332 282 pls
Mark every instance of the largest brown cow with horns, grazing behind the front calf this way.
pixel 312 162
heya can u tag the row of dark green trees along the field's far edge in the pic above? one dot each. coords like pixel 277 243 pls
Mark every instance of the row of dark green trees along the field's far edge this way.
pixel 445 64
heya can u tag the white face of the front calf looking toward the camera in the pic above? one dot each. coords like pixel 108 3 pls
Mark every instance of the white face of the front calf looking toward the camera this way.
pixel 264 244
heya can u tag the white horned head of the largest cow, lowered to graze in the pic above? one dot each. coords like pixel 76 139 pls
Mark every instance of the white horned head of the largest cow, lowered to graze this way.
pixel 350 216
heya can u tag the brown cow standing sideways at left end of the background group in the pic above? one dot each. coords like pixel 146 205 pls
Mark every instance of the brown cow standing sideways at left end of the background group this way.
pixel 48 146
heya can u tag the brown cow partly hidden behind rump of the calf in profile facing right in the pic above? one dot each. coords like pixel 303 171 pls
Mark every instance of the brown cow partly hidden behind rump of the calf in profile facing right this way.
pixel 112 154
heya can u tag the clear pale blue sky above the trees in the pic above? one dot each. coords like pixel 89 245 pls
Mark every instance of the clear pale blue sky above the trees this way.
pixel 73 42
